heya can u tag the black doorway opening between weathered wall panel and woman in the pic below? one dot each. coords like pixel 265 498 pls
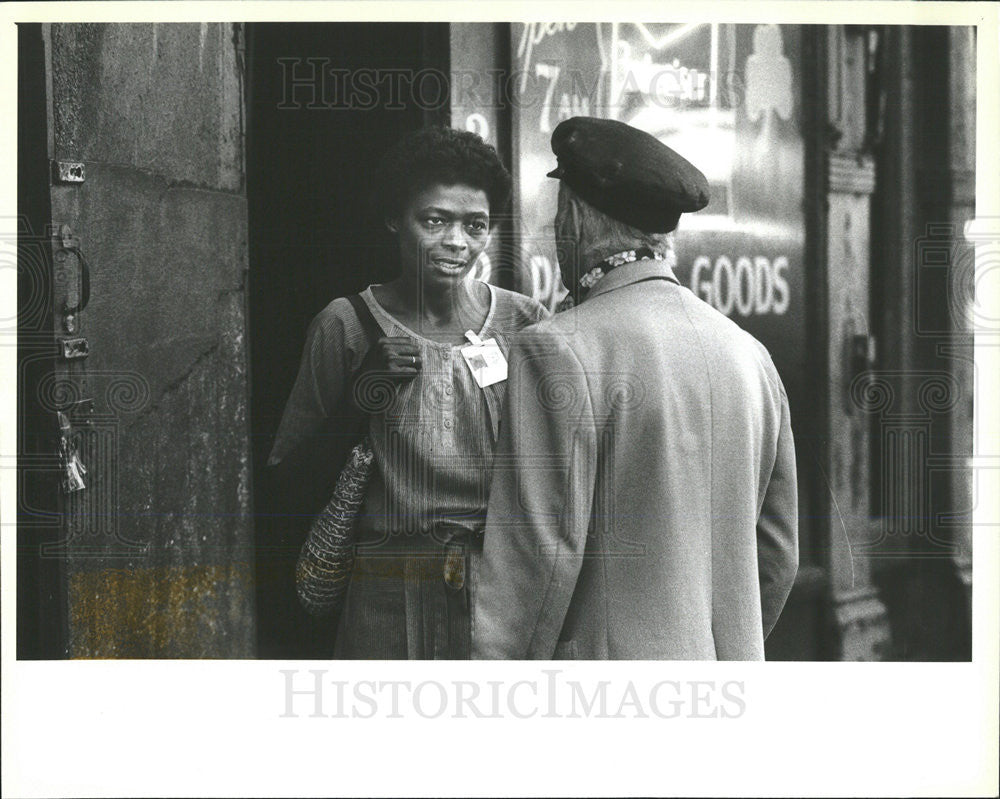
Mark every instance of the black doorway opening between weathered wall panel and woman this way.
pixel 310 152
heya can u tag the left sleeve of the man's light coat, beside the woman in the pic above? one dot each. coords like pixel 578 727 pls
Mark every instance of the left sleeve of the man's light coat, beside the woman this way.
pixel 540 503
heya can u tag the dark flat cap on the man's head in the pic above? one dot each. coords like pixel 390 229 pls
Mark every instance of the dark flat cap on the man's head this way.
pixel 627 173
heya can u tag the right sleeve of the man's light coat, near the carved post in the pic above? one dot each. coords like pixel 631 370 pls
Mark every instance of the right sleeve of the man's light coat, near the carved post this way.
pixel 777 527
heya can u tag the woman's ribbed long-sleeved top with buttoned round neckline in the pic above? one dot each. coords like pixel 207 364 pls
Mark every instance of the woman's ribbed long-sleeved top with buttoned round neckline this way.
pixel 434 447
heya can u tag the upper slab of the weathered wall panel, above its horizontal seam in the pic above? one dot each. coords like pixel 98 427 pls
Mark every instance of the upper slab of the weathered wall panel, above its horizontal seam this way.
pixel 165 98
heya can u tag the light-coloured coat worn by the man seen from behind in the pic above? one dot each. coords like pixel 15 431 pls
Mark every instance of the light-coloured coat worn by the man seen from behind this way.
pixel 643 503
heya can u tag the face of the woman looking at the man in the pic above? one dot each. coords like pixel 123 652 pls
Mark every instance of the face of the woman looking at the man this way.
pixel 442 231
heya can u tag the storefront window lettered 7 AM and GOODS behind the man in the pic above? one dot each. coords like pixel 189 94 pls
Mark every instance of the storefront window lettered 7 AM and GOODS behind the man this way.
pixel 724 96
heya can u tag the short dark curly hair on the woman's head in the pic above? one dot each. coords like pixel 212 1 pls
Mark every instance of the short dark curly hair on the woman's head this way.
pixel 439 155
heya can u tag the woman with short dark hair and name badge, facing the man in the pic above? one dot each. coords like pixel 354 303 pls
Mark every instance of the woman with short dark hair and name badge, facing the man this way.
pixel 421 525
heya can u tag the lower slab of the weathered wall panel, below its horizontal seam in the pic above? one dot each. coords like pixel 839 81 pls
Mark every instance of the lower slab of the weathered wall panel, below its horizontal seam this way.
pixel 167 315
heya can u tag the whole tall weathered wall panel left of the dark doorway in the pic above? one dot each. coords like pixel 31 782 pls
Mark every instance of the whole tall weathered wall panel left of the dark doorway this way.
pixel 159 546
